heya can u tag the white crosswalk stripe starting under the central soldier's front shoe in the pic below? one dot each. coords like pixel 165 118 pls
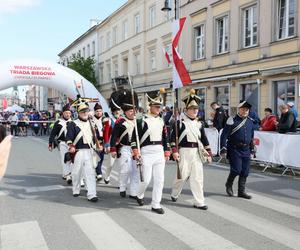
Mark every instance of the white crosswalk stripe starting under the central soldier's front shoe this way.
pixel 187 231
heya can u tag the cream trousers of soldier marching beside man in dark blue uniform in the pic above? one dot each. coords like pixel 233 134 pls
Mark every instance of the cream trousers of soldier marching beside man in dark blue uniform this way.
pixel 191 167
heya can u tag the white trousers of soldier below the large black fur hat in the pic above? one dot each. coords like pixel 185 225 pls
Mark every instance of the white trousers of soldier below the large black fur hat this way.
pixel 128 171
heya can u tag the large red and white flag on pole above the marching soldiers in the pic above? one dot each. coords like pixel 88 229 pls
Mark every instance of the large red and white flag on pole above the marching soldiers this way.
pixel 181 76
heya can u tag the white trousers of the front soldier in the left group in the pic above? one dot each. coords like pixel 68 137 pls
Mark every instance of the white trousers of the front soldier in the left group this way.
pixel 83 167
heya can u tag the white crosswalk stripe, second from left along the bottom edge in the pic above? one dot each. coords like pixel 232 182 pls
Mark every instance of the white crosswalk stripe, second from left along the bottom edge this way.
pixel 108 236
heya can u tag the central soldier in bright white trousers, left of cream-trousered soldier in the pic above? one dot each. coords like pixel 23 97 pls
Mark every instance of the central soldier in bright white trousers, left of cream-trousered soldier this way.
pixel 155 150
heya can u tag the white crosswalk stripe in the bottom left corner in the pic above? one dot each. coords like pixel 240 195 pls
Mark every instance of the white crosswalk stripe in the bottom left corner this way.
pixel 23 236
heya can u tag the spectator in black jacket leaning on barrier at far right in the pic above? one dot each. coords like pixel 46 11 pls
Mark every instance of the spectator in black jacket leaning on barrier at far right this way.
pixel 287 122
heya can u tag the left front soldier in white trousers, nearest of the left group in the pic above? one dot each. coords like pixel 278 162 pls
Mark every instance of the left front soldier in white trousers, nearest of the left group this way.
pixel 82 143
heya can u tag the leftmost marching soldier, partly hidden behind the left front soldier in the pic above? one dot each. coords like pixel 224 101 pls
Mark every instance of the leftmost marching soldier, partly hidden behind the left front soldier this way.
pixel 58 139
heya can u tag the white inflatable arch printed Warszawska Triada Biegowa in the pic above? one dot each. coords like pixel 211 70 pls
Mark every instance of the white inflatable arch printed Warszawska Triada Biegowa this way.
pixel 52 75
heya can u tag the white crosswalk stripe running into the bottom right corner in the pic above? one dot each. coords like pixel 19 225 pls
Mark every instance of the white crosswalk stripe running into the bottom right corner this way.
pixel 261 226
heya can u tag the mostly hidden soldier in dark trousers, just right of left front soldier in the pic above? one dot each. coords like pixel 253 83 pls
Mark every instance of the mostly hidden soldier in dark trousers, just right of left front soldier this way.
pixel 98 121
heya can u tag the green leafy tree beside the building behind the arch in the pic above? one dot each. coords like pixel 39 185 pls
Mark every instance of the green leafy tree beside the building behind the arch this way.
pixel 84 67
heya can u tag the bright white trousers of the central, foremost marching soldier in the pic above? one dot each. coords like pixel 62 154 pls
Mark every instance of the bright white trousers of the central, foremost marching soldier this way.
pixel 153 164
